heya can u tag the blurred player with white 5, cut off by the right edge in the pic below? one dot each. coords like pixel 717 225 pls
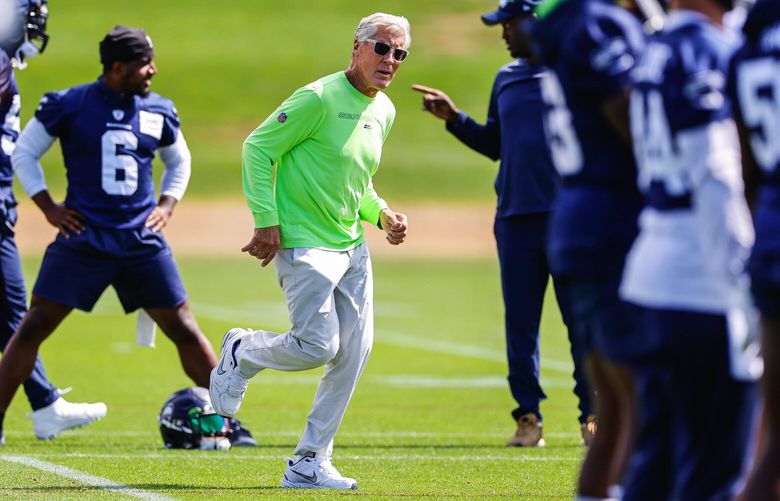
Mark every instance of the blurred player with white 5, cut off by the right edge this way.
pixel 754 87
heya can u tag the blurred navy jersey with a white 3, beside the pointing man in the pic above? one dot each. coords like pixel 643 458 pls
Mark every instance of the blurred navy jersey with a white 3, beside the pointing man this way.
pixel 590 47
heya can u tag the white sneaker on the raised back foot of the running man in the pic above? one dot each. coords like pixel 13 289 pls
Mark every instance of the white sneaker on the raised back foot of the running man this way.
pixel 226 385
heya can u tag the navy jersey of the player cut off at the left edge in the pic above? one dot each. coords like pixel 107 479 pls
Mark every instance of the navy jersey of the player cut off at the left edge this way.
pixel 10 104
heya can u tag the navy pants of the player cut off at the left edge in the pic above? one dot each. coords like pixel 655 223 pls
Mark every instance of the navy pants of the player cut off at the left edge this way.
pixel 13 304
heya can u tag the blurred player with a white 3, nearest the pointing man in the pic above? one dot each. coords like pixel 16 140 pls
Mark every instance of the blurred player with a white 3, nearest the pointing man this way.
pixel 591 47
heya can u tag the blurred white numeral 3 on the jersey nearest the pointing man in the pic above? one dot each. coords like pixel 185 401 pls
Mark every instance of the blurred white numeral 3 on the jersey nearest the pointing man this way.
pixel 561 137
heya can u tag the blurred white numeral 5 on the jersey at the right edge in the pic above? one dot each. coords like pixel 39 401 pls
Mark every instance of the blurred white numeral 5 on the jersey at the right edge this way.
pixel 761 110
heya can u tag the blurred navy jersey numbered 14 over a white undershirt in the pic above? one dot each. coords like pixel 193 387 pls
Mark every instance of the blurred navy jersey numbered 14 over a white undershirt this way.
pixel 679 85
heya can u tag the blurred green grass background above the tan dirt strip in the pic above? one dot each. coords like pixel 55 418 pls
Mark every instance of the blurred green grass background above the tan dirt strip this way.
pixel 228 64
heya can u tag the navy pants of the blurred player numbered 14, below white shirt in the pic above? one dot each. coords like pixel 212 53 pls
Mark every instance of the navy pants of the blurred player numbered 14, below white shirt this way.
pixel 686 396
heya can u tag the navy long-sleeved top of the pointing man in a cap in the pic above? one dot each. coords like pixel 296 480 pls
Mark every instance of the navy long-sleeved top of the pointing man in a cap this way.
pixel 526 182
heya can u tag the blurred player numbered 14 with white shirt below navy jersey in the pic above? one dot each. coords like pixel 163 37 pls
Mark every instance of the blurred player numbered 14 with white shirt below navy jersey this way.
pixel 686 269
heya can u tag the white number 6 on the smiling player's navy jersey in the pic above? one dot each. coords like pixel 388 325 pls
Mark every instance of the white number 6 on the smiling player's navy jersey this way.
pixel 119 172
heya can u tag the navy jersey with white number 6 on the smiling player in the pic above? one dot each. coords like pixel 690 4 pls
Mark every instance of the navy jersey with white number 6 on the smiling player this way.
pixel 108 142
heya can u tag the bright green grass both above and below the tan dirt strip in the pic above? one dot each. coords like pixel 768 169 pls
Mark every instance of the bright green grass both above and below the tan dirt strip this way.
pixel 431 414
